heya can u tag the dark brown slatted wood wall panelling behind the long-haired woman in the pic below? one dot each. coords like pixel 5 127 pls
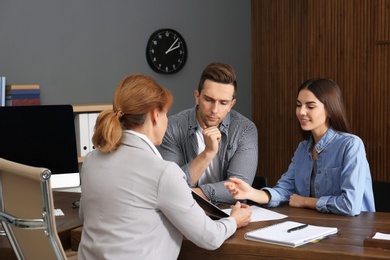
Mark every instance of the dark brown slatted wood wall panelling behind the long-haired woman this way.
pixel 346 40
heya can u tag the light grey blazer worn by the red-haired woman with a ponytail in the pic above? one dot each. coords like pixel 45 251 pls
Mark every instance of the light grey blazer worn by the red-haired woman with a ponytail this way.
pixel 137 206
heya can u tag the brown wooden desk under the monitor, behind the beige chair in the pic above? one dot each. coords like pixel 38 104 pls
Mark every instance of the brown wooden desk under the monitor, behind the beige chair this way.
pixel 63 201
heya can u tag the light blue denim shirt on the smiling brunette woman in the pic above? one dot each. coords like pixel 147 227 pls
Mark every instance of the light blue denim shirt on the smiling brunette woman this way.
pixel 342 181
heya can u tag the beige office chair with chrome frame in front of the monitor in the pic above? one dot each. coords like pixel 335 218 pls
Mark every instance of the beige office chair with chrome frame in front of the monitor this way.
pixel 27 212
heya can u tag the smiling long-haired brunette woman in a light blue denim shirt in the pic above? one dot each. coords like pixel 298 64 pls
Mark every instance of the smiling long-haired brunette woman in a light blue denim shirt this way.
pixel 329 171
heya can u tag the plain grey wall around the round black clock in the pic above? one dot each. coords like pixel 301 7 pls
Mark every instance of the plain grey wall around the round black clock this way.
pixel 78 50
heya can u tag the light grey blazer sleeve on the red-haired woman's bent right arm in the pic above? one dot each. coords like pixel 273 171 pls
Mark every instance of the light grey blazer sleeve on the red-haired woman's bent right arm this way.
pixel 176 202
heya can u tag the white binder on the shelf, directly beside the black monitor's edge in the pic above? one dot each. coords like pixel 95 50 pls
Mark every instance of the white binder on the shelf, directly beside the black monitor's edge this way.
pixel 82 133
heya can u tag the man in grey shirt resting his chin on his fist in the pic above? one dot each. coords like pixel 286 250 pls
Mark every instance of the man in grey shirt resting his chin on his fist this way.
pixel 211 142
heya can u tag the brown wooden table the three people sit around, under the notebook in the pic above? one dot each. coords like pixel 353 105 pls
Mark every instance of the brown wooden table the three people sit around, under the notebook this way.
pixel 346 244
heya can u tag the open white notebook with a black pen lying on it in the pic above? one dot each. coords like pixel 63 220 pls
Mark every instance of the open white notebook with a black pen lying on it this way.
pixel 278 234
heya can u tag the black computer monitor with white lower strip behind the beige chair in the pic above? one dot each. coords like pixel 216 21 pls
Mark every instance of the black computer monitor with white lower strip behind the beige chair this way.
pixel 42 136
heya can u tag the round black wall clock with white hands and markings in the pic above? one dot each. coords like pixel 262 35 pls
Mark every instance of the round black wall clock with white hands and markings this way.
pixel 166 51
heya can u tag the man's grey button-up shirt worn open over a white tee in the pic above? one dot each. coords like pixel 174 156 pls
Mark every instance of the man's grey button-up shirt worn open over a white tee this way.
pixel 237 152
